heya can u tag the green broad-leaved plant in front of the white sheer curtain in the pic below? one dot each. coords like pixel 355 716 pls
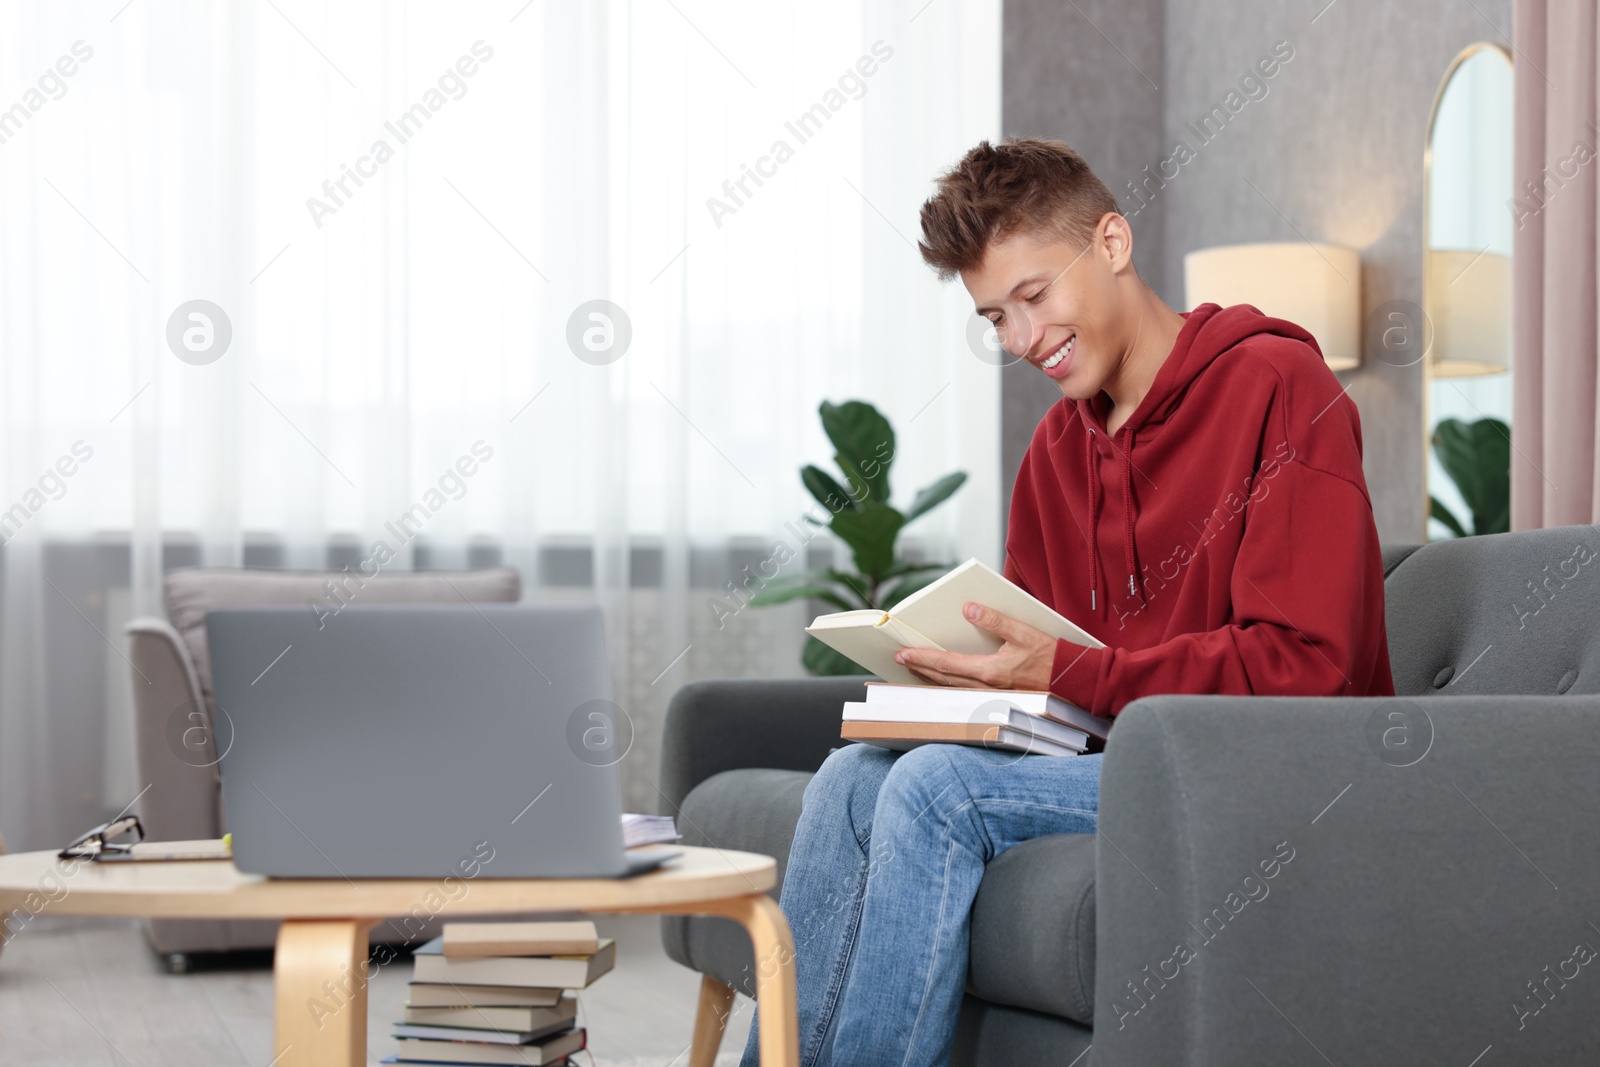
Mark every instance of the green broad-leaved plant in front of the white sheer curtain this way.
pixel 866 522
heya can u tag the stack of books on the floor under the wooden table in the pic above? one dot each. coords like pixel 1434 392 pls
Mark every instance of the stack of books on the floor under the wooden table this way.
pixel 500 994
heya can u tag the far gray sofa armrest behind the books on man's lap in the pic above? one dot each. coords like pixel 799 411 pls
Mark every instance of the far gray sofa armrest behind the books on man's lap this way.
pixel 730 724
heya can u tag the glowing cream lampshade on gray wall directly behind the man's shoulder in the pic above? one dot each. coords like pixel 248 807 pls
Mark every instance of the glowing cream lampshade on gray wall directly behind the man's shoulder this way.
pixel 1318 287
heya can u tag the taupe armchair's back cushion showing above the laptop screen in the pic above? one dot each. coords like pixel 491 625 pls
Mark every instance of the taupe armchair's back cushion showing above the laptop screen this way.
pixel 193 593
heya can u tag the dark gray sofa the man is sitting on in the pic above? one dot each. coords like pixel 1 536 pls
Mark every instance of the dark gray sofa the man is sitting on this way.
pixel 1276 881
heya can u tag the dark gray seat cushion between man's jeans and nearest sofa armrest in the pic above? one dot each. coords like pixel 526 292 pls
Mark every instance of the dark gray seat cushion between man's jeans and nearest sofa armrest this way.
pixel 1033 941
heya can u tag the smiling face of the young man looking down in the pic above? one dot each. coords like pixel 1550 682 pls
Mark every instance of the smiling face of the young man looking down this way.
pixel 1054 305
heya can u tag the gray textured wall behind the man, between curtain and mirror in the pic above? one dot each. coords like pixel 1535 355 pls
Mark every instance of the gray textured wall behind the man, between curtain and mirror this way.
pixel 1335 150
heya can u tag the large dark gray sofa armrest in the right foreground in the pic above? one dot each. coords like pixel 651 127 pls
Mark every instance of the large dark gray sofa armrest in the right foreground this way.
pixel 1306 881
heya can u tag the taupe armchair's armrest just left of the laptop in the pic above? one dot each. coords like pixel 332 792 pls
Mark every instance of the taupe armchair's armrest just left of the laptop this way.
pixel 174 738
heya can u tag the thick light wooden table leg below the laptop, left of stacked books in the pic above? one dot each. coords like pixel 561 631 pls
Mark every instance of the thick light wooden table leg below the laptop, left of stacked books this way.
pixel 319 977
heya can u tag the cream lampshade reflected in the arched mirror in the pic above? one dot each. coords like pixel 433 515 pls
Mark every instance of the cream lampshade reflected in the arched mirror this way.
pixel 1470 302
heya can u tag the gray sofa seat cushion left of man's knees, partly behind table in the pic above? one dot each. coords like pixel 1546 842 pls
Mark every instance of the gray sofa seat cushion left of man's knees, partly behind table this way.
pixel 753 812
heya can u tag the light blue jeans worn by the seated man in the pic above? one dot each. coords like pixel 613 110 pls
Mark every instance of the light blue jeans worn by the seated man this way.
pixel 881 884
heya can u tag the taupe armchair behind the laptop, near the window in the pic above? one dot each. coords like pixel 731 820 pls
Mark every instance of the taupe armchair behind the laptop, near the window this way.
pixel 175 708
